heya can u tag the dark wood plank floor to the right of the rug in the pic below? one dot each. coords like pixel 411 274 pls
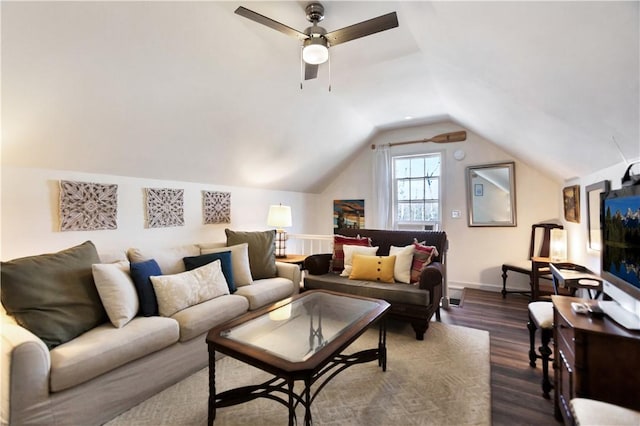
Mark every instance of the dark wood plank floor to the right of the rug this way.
pixel 515 386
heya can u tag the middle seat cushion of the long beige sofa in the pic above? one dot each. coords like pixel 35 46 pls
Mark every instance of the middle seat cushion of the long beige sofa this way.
pixel 202 317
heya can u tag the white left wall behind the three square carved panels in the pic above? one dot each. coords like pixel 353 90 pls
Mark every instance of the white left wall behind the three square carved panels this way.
pixel 30 222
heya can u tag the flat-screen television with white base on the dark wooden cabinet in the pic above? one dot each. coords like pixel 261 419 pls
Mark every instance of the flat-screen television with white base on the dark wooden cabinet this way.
pixel 620 221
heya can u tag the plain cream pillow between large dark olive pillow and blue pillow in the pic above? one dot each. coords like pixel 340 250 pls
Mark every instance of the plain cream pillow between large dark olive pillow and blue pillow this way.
pixel 117 291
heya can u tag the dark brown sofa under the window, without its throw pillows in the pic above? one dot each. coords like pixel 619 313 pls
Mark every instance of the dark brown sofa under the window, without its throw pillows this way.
pixel 415 303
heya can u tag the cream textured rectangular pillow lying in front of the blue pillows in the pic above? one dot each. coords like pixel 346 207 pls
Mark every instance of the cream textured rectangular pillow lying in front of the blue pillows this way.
pixel 179 291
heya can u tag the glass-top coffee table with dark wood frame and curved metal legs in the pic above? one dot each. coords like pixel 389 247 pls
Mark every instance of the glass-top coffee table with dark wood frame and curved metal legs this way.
pixel 300 339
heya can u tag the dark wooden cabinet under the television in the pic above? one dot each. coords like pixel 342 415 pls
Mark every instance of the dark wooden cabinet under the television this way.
pixel 593 358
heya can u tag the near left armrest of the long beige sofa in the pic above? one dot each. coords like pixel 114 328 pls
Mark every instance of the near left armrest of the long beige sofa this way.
pixel 24 367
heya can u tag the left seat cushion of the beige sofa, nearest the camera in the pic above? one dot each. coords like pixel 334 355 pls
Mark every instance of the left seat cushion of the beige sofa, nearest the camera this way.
pixel 105 348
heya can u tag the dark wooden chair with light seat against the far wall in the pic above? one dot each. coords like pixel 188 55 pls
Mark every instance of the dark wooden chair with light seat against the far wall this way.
pixel 524 267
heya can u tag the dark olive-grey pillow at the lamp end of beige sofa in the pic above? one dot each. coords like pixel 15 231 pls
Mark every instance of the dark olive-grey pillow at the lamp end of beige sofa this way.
pixel 262 251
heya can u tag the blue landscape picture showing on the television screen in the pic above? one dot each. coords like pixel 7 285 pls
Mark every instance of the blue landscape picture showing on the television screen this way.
pixel 622 238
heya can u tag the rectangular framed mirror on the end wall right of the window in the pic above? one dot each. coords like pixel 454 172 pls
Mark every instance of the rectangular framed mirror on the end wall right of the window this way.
pixel 491 194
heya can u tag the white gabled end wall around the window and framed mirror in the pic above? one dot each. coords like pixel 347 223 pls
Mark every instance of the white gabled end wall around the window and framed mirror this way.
pixel 475 255
